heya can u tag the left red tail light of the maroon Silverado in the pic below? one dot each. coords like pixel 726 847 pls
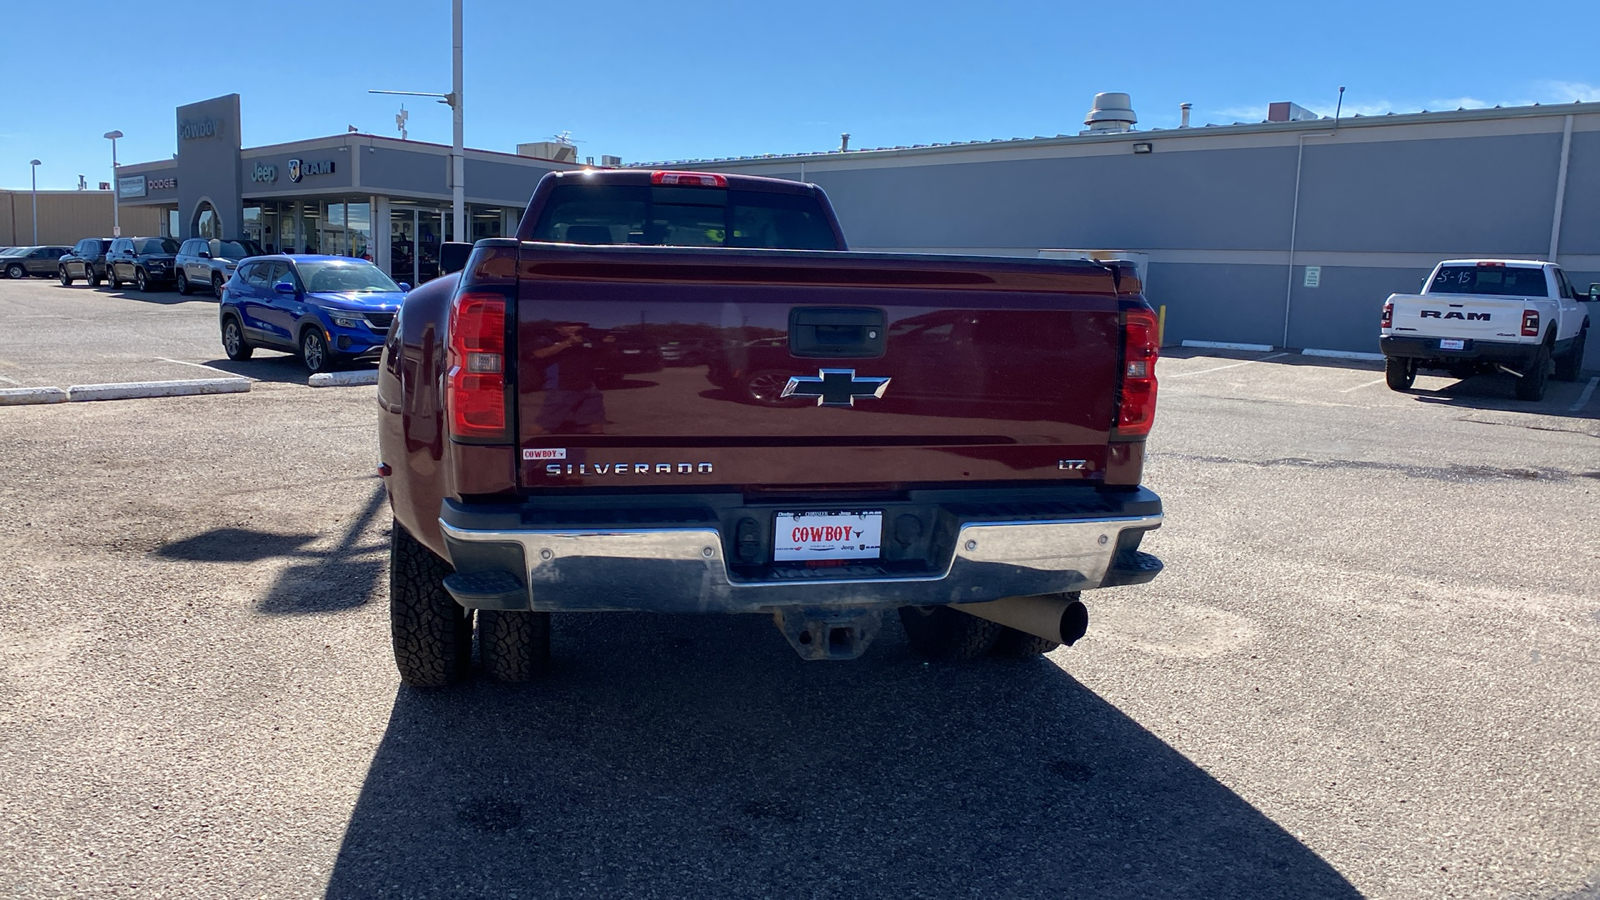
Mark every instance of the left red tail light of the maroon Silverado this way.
pixel 476 393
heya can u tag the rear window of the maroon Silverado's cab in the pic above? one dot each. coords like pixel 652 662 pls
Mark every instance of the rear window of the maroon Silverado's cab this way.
pixel 684 217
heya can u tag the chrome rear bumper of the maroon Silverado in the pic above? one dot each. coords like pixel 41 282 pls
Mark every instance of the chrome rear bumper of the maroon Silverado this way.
pixel 684 569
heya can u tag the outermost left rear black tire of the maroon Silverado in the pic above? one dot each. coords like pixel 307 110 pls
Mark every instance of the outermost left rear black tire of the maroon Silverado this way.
pixel 433 633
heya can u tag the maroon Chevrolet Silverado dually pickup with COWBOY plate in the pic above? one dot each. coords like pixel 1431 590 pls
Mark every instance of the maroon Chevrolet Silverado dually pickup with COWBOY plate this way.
pixel 841 433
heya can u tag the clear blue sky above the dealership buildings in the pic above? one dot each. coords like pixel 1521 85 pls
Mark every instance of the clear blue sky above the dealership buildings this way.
pixel 702 79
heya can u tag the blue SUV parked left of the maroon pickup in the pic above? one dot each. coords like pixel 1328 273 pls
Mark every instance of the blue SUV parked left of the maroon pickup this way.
pixel 327 310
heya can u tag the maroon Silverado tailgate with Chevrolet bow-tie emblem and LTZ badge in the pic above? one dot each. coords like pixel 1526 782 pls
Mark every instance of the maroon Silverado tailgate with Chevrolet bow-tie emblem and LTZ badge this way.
pixel 668 366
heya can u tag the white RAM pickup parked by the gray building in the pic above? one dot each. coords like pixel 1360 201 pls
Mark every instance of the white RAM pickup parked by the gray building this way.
pixel 1518 316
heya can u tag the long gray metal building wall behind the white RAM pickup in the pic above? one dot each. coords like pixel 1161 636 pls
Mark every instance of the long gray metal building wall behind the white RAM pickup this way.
pixel 1380 203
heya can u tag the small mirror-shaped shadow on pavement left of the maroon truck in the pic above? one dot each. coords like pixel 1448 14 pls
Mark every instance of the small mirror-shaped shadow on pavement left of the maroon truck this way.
pixel 316 581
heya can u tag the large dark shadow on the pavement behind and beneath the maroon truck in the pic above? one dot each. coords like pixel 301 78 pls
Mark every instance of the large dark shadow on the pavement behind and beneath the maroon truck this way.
pixel 698 757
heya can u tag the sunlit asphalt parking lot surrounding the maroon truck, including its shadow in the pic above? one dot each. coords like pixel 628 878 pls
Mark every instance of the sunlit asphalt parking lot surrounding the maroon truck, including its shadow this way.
pixel 1369 670
